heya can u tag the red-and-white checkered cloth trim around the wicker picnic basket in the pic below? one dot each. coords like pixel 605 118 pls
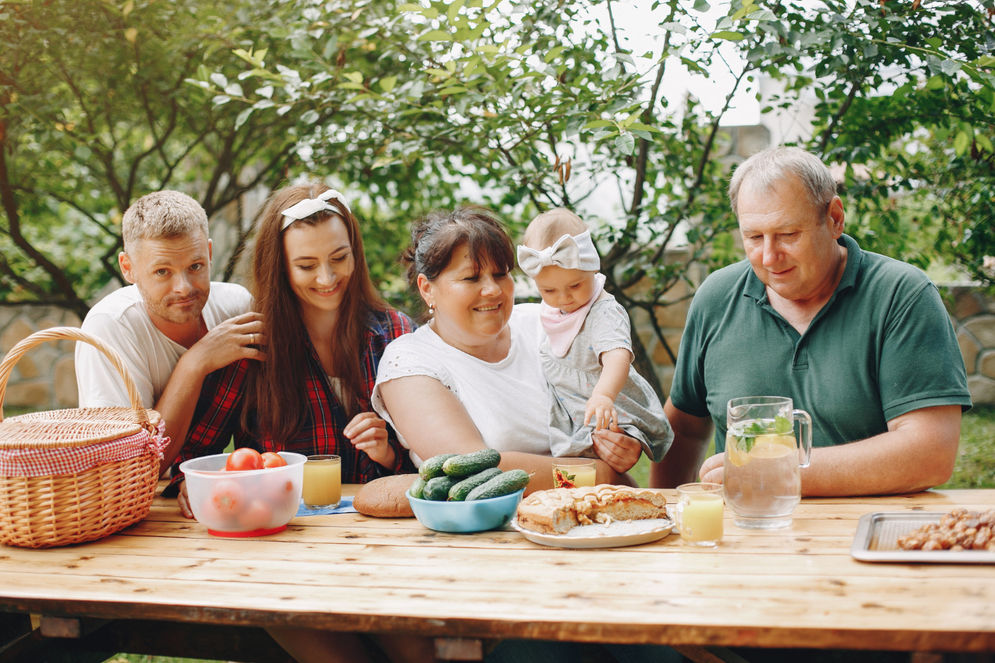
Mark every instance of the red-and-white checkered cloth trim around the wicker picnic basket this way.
pixel 74 460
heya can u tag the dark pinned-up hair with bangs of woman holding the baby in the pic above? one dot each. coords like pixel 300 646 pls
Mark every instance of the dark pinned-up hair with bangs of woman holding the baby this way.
pixel 436 237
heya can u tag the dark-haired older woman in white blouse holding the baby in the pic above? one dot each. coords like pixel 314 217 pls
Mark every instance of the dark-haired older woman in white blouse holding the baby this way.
pixel 472 378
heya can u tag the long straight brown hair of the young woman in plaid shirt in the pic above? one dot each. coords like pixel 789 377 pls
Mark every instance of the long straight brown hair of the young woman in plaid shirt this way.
pixel 276 390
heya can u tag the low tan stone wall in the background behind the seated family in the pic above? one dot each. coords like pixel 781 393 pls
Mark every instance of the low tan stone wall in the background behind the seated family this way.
pixel 44 378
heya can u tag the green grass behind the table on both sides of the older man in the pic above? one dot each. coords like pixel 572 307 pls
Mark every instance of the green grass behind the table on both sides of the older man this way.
pixel 975 466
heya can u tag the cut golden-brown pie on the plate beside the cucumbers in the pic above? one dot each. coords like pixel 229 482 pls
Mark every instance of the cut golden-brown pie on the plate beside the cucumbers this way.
pixel 559 510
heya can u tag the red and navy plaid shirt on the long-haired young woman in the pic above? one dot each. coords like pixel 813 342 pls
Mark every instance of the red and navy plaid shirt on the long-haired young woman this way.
pixel 218 414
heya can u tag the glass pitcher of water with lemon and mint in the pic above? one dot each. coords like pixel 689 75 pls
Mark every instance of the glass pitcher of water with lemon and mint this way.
pixel 763 460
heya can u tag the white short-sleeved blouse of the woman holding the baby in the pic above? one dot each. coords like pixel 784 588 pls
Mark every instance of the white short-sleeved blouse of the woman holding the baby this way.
pixel 507 400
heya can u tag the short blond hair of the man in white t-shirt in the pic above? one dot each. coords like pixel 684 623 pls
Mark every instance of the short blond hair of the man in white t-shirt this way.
pixel 162 215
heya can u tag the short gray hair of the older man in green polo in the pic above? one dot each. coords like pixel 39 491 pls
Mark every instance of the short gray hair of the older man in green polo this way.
pixel 767 168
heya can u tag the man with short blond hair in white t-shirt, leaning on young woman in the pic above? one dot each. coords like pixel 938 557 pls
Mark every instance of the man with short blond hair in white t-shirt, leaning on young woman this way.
pixel 172 326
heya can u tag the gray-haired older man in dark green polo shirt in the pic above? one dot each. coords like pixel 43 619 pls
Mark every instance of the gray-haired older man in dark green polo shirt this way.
pixel 857 339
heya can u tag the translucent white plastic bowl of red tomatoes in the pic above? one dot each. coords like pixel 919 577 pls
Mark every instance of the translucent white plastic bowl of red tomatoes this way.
pixel 241 494
